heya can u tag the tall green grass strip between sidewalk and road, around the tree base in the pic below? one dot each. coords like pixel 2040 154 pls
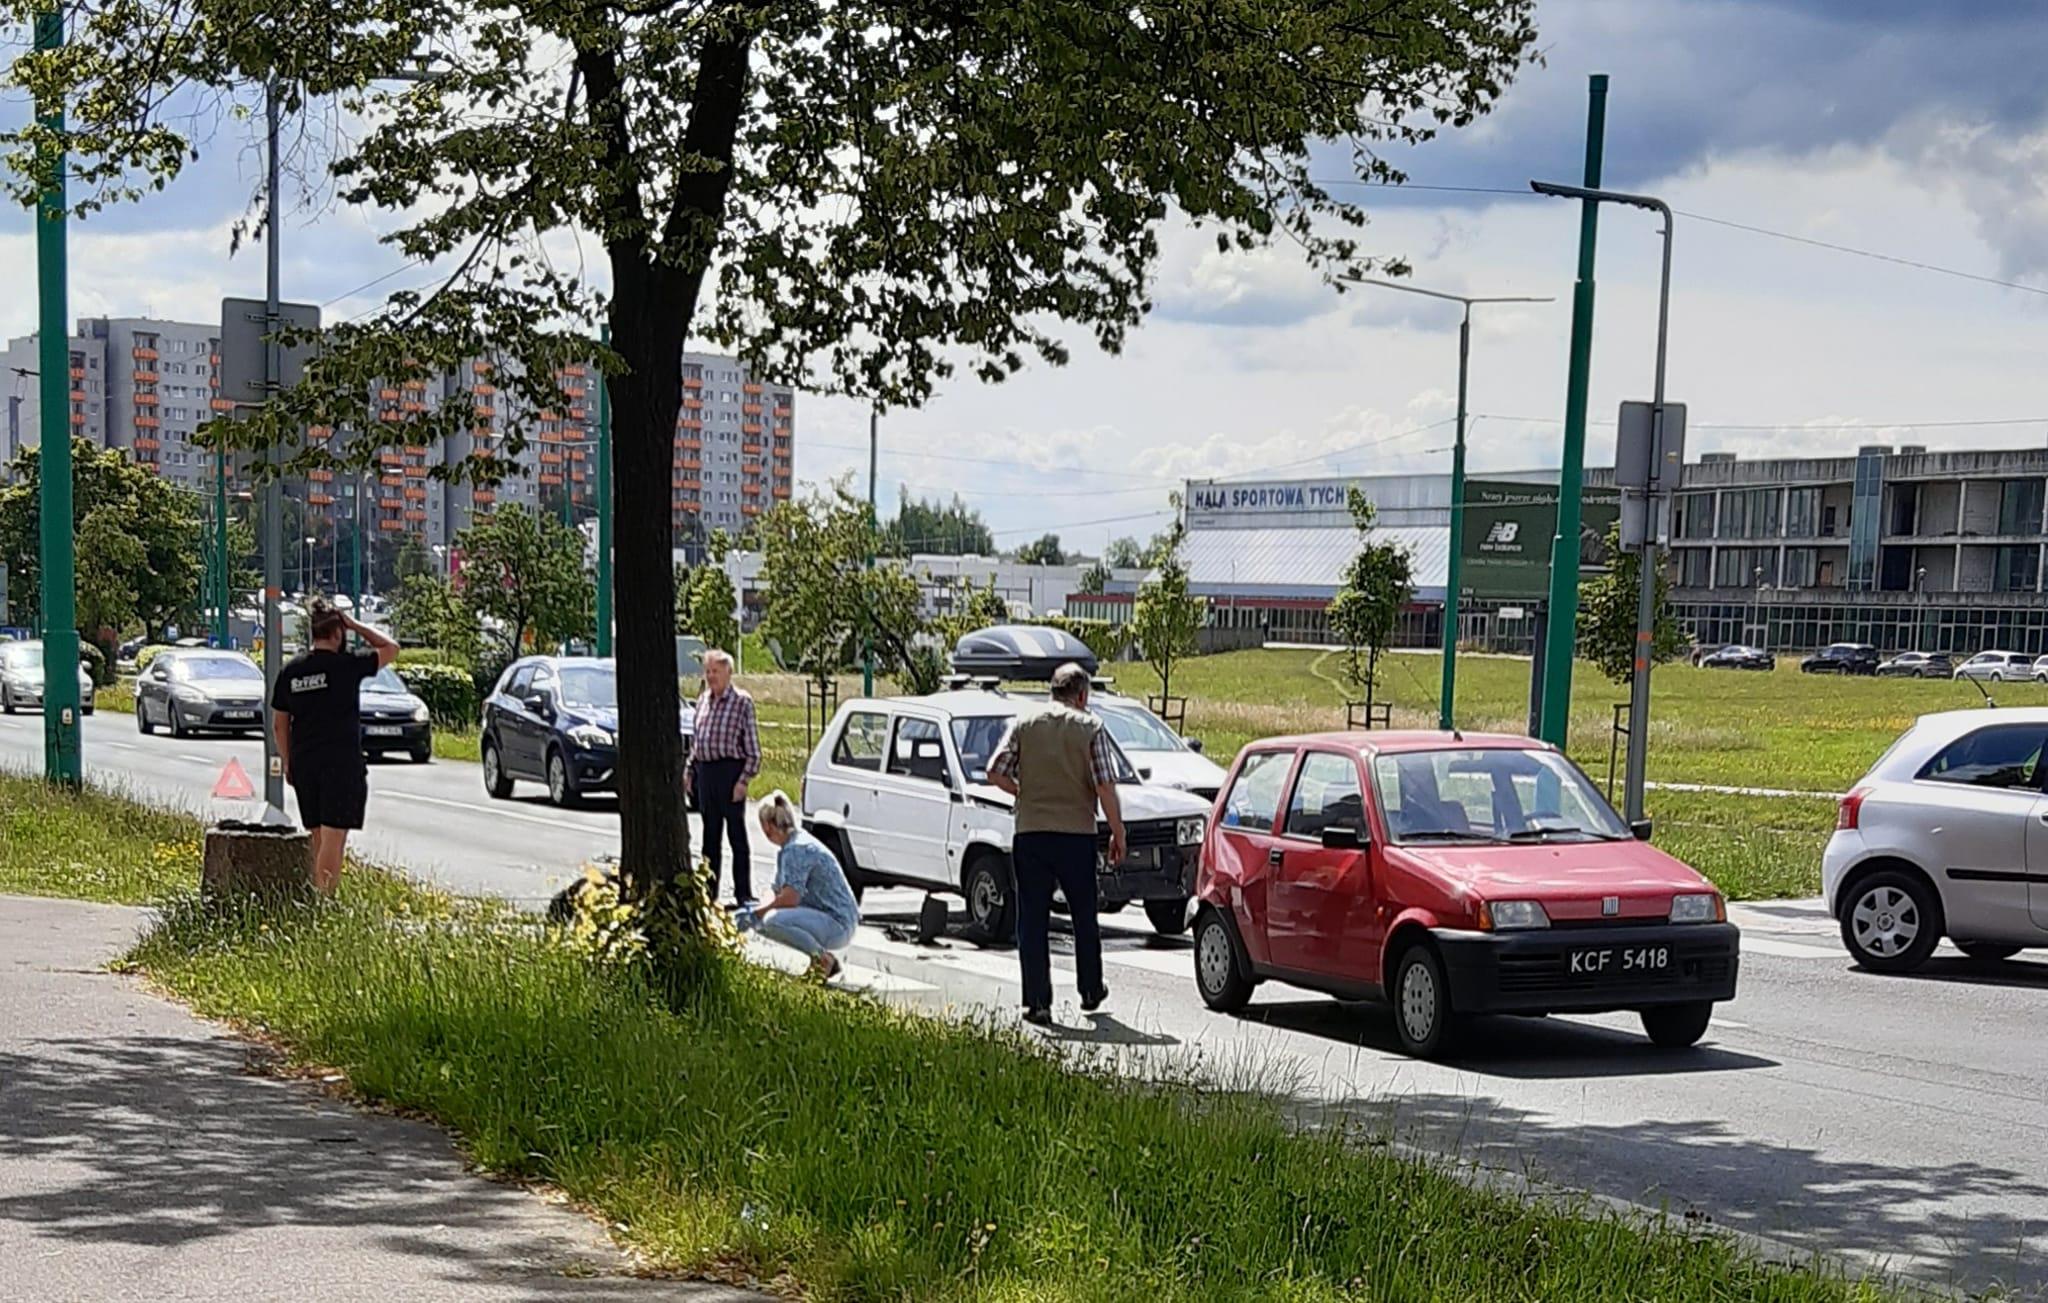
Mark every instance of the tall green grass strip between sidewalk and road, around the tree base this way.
pixel 861 1152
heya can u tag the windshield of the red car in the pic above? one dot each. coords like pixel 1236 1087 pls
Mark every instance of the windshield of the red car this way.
pixel 1492 796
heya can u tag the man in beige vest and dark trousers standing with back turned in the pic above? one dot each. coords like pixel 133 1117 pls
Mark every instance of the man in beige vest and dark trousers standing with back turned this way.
pixel 1060 765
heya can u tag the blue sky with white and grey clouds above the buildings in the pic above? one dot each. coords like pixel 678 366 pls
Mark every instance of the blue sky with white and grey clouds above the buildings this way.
pixel 1895 126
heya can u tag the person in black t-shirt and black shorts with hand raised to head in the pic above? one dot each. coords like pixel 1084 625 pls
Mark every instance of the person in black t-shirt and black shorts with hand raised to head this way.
pixel 316 710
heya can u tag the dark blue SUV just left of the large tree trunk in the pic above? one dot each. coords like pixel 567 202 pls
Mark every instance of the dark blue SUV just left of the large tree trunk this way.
pixel 552 720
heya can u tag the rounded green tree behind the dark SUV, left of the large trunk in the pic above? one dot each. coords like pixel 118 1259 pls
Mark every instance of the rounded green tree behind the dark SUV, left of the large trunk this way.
pixel 525 575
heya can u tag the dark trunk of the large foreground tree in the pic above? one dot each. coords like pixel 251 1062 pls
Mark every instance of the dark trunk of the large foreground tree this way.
pixel 650 321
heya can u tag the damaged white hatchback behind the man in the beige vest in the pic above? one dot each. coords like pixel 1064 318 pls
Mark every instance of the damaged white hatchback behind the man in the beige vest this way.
pixel 900 792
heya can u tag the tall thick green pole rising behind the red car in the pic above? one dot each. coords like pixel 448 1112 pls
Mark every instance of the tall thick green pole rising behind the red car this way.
pixel 1564 612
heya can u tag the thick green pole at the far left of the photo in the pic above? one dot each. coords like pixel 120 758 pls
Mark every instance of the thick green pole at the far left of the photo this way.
pixel 62 761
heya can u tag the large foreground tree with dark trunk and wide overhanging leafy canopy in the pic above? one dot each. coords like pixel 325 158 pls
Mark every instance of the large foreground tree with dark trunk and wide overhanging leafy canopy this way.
pixel 998 179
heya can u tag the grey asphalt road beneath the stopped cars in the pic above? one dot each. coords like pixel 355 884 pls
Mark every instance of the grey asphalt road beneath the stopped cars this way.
pixel 1887 1120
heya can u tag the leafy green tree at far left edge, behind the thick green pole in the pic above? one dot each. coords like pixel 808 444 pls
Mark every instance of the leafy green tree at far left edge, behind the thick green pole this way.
pixel 138 542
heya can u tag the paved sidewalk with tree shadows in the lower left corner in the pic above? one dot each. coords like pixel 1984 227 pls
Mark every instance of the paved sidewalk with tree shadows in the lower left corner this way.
pixel 140 1159
